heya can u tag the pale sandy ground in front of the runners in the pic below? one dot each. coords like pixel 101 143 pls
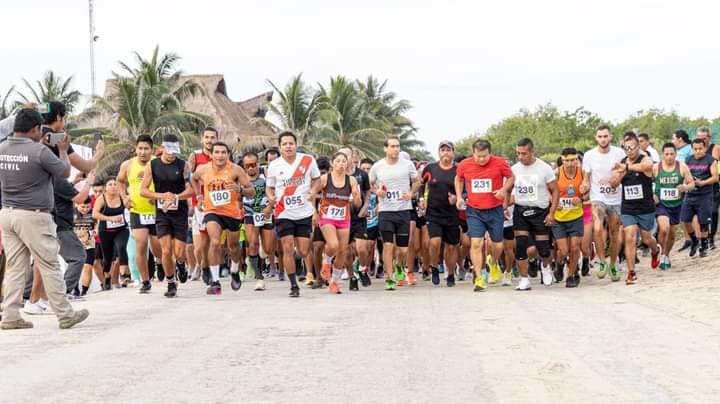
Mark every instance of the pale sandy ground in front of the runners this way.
pixel 657 341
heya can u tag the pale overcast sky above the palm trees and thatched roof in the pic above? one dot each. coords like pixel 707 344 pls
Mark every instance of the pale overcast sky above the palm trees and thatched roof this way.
pixel 464 65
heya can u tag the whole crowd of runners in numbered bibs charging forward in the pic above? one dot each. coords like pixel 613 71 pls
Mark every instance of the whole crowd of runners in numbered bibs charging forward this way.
pixel 343 221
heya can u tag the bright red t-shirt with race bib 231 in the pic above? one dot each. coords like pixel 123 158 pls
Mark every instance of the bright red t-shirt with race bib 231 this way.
pixel 482 181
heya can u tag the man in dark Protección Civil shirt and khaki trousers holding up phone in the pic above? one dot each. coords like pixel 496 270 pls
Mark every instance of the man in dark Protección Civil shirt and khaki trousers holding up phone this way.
pixel 26 171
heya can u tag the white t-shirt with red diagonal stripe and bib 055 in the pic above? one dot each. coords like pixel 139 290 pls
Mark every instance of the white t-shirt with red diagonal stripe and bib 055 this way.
pixel 281 175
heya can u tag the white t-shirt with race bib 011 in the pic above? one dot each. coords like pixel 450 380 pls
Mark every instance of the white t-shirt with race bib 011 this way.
pixel 396 179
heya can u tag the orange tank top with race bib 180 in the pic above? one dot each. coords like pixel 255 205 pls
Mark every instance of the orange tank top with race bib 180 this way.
pixel 220 197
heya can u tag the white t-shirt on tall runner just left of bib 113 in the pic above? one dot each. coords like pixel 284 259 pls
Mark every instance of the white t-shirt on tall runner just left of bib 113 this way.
pixel 599 166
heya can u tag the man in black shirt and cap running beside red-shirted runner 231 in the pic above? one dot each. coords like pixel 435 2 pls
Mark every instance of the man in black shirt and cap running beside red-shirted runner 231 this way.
pixel 442 216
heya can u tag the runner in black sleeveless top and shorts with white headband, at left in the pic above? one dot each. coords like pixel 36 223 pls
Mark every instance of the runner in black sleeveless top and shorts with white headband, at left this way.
pixel 171 178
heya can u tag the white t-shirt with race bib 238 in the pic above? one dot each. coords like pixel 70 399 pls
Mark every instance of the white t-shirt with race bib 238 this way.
pixel 531 183
